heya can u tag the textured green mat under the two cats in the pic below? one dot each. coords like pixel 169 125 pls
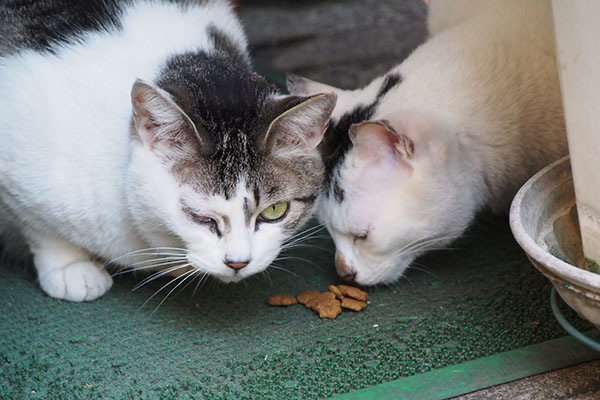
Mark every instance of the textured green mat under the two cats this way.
pixel 480 298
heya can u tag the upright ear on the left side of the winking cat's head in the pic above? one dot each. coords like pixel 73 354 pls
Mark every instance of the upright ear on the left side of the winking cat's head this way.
pixel 161 124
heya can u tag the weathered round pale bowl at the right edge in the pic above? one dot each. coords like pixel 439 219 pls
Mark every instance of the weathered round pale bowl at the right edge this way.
pixel 543 219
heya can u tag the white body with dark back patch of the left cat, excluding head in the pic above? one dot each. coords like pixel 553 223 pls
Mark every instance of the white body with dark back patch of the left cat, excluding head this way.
pixel 66 72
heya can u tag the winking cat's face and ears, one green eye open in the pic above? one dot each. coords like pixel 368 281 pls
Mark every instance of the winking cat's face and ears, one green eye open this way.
pixel 228 178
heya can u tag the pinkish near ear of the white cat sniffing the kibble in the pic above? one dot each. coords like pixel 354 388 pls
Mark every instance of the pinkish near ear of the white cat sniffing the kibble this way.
pixel 377 141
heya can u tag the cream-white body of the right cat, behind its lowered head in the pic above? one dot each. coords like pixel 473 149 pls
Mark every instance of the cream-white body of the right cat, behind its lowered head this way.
pixel 489 77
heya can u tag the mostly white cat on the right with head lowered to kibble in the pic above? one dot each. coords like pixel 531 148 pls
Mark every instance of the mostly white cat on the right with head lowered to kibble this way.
pixel 456 127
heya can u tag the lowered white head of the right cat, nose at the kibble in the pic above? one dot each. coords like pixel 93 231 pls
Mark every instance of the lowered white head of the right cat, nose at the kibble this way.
pixel 390 195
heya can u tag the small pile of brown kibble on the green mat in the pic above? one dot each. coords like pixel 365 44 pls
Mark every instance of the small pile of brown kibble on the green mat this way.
pixel 327 304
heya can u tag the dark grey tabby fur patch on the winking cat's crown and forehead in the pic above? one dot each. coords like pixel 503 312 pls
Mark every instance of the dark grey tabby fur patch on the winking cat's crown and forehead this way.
pixel 232 109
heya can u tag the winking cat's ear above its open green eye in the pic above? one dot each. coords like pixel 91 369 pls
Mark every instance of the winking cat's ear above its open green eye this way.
pixel 301 127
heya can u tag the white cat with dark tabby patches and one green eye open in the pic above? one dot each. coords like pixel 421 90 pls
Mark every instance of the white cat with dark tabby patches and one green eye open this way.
pixel 139 124
